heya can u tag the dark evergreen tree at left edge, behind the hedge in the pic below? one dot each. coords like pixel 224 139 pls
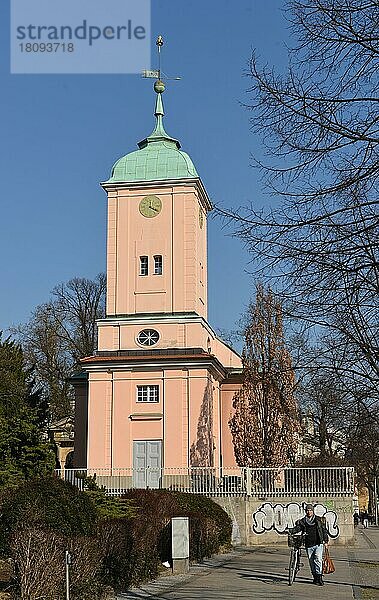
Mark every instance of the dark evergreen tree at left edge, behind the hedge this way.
pixel 24 450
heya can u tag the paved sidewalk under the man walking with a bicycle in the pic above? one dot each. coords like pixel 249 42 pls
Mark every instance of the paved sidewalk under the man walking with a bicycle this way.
pixel 261 574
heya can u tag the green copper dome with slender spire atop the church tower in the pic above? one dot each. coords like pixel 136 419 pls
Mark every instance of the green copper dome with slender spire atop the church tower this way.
pixel 159 155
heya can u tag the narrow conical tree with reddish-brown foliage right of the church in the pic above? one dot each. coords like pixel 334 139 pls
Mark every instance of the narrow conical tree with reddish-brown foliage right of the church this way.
pixel 265 423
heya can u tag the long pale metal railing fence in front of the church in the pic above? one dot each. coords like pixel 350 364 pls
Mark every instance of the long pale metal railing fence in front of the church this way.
pixel 212 481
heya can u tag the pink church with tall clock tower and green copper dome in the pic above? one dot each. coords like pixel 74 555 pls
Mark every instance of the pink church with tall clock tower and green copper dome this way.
pixel 158 392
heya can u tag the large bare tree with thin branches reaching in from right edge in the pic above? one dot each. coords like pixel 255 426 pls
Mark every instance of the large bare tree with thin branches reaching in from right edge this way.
pixel 319 127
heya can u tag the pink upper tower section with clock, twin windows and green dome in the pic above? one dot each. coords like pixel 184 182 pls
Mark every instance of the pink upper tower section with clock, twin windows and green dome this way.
pixel 156 229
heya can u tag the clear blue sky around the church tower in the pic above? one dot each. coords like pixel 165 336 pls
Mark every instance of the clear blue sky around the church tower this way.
pixel 60 135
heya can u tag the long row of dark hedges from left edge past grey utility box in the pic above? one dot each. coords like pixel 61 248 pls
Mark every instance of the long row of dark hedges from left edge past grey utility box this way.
pixel 116 544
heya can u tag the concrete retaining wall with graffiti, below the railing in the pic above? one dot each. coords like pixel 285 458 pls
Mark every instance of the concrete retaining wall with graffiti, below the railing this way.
pixel 265 521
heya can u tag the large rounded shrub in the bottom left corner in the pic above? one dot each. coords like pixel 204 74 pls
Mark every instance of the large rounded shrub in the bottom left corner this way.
pixel 40 520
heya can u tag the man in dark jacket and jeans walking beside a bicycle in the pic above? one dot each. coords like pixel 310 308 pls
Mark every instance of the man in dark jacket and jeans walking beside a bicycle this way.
pixel 315 538
